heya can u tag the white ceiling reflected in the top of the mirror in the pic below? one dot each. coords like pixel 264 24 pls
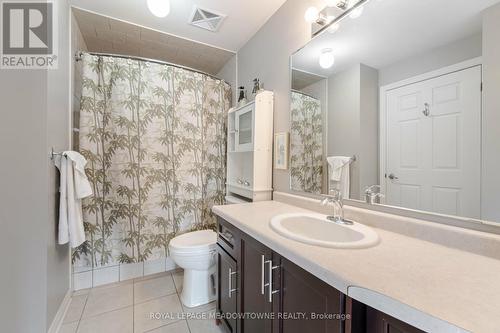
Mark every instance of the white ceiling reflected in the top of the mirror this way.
pixel 392 30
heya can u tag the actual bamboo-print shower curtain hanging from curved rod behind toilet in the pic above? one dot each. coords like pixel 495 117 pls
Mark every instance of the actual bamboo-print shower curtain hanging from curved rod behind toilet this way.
pixel 154 137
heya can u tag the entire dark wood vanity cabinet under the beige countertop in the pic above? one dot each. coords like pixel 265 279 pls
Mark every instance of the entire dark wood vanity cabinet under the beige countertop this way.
pixel 270 294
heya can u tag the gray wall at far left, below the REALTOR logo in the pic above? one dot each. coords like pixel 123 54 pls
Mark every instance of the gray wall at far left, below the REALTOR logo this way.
pixel 23 200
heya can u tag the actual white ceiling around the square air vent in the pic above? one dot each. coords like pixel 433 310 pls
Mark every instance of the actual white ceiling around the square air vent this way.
pixel 244 18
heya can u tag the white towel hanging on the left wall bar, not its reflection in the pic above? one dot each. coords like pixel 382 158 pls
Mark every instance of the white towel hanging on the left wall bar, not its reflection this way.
pixel 74 186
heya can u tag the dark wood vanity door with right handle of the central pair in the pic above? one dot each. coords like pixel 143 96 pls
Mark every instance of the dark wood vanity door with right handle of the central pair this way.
pixel 302 293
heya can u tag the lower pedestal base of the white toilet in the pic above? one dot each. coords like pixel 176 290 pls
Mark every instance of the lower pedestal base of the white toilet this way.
pixel 198 287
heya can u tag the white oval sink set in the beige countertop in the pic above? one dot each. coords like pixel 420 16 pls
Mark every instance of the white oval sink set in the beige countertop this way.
pixel 315 229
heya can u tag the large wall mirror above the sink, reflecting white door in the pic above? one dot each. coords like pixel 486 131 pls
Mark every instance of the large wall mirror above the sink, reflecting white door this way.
pixel 394 97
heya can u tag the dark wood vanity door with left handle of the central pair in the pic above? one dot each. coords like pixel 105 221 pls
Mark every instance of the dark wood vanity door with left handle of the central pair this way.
pixel 255 262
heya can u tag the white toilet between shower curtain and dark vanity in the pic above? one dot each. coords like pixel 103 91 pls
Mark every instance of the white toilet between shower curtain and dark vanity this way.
pixel 195 253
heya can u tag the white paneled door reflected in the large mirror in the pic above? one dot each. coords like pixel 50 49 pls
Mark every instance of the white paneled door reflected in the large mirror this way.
pixel 434 144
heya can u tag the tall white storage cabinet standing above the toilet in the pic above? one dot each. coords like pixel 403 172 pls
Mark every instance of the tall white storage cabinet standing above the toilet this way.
pixel 249 150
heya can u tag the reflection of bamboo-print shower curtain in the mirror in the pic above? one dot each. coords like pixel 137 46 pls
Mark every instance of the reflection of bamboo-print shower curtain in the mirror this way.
pixel 306 144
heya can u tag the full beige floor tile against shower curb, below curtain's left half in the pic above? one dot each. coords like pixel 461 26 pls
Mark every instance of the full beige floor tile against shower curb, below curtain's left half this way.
pixel 102 299
